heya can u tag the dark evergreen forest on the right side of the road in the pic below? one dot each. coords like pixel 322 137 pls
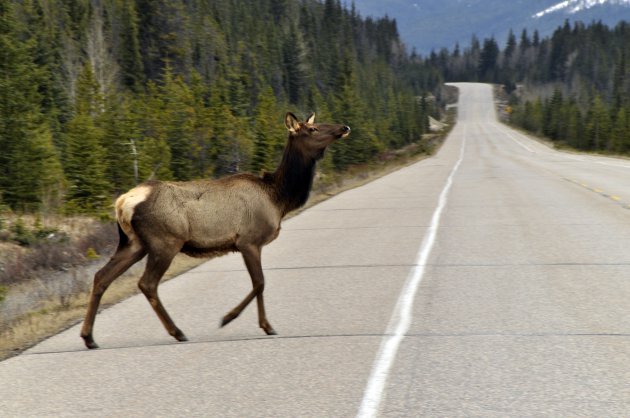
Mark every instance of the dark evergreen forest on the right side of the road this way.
pixel 572 87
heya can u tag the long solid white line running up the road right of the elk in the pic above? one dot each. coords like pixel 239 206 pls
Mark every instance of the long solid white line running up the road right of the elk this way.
pixel 401 317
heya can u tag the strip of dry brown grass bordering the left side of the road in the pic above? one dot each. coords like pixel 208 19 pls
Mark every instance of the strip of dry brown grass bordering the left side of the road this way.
pixel 61 312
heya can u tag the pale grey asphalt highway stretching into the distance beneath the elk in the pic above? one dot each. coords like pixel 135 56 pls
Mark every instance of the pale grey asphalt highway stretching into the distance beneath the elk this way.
pixel 490 280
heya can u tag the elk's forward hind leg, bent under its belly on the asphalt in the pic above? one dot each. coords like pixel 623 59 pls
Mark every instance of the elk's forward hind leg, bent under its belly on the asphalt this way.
pixel 157 264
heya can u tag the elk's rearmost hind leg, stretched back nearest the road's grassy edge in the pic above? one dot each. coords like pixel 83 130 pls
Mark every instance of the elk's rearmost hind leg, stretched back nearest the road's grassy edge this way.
pixel 125 256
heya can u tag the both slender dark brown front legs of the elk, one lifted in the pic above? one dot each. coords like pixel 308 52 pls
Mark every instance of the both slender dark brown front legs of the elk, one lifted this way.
pixel 251 256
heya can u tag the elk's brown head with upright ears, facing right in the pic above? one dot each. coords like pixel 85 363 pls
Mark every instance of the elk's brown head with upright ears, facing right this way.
pixel 312 138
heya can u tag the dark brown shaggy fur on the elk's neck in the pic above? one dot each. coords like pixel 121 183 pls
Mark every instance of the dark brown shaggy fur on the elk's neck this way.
pixel 292 180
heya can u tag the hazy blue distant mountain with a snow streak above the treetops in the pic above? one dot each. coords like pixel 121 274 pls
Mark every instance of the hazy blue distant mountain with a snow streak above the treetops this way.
pixel 430 25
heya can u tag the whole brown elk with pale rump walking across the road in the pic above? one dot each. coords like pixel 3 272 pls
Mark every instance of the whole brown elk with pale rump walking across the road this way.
pixel 209 218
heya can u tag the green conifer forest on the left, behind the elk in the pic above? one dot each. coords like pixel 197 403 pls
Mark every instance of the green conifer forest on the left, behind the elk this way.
pixel 98 95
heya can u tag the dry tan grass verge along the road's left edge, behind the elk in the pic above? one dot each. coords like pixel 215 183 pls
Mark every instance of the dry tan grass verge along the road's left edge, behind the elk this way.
pixel 61 311
